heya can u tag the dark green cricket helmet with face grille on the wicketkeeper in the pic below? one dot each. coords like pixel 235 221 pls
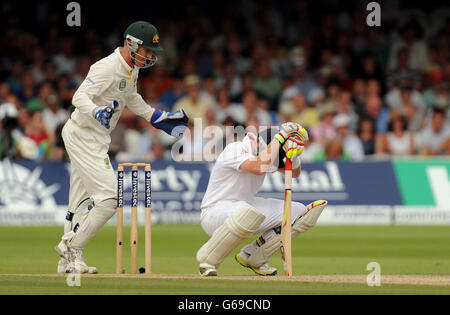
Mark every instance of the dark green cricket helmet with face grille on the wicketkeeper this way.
pixel 142 34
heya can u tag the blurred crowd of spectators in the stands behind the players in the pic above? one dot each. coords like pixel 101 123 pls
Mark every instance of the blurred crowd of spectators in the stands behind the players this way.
pixel 361 92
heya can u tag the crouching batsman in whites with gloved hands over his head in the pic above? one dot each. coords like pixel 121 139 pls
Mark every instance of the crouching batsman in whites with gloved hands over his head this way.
pixel 231 212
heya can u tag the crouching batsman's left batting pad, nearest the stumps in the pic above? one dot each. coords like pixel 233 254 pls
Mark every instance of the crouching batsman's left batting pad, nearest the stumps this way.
pixel 237 227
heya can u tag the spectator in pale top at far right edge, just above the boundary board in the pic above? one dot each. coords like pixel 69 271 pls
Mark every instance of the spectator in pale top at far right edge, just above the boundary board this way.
pixel 435 139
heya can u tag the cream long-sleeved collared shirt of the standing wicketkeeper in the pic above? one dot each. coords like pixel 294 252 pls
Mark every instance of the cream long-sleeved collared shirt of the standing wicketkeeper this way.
pixel 109 79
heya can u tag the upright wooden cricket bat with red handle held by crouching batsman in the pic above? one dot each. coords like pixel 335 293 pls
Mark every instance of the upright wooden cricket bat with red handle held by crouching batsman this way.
pixel 286 253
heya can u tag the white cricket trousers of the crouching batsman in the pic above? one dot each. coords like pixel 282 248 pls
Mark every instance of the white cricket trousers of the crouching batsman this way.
pixel 213 217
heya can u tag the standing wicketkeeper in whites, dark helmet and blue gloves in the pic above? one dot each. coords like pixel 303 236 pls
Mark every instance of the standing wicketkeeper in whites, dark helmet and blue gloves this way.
pixel 110 85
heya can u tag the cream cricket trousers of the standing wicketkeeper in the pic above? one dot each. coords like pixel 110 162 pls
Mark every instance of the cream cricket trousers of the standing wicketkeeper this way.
pixel 92 175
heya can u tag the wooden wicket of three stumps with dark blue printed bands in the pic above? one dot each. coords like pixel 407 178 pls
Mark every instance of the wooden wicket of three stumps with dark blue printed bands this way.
pixel 134 220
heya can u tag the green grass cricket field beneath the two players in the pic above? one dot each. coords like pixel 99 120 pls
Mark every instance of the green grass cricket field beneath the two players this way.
pixel 324 250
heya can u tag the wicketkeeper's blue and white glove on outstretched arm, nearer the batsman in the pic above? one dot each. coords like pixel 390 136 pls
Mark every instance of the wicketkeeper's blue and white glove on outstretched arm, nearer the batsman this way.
pixel 173 124
